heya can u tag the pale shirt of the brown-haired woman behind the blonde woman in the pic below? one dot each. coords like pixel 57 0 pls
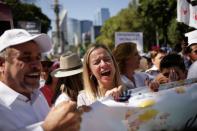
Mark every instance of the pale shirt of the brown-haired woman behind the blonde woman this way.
pixel 139 78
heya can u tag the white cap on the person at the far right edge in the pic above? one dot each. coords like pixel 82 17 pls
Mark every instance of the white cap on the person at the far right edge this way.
pixel 192 37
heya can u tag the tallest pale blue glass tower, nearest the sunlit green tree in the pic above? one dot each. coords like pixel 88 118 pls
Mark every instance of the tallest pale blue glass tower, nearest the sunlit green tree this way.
pixel 101 16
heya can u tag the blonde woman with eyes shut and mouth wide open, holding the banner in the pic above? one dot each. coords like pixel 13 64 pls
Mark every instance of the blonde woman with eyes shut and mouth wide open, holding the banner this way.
pixel 100 75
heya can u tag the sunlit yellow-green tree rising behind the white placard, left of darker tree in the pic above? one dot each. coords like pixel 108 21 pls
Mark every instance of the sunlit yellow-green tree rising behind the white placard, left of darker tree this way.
pixel 127 20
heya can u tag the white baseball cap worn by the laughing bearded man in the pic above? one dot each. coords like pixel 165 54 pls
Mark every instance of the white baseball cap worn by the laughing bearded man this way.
pixel 19 36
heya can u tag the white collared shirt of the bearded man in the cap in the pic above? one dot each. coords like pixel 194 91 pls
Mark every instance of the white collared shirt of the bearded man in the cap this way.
pixel 19 113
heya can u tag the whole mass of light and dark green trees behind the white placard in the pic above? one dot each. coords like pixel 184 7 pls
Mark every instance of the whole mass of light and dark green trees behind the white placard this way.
pixel 149 17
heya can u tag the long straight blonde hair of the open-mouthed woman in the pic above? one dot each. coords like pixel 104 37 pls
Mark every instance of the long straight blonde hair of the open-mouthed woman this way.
pixel 90 82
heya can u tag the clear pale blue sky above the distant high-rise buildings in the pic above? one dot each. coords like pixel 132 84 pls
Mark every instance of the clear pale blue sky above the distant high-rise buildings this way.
pixel 82 9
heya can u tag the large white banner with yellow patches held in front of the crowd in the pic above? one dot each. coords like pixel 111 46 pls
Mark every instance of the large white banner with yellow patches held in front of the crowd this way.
pixel 170 109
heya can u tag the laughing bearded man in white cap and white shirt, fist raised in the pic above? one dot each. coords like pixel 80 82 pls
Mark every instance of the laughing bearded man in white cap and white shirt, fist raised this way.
pixel 22 106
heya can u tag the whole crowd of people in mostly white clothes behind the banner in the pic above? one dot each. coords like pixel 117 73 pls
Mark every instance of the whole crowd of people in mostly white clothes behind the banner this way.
pixel 37 93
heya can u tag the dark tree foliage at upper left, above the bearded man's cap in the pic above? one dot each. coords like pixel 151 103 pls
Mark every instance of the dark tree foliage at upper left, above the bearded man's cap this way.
pixel 28 12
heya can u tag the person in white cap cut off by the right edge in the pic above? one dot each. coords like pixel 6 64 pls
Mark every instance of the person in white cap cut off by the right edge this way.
pixel 191 50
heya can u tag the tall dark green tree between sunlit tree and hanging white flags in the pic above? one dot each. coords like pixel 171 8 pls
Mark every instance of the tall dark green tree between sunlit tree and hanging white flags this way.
pixel 158 14
